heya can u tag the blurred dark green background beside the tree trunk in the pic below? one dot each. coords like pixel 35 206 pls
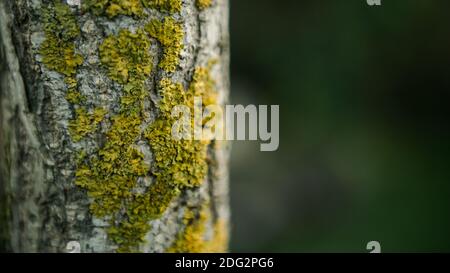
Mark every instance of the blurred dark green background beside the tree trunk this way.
pixel 364 95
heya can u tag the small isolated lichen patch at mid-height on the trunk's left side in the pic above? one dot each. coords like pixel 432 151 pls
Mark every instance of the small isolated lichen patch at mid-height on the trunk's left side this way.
pixel 85 123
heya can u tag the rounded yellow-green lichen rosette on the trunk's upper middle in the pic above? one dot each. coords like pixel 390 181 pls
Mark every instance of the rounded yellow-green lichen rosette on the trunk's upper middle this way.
pixel 127 56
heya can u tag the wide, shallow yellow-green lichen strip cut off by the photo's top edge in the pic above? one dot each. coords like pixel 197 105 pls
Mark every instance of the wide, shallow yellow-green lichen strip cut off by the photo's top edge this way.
pixel 112 8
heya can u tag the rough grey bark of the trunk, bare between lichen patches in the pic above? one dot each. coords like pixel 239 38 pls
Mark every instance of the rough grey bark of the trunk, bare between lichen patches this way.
pixel 41 207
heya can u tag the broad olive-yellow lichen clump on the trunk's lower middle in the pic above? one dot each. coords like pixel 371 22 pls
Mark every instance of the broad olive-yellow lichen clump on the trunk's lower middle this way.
pixel 111 175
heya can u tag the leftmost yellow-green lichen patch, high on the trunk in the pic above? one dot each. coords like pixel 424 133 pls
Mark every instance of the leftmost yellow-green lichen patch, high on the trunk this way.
pixel 58 49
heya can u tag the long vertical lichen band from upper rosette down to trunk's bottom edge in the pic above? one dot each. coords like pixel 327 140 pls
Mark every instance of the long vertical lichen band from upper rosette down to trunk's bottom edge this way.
pixel 110 176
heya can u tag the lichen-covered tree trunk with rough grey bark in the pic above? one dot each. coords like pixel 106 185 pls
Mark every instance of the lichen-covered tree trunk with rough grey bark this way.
pixel 86 157
